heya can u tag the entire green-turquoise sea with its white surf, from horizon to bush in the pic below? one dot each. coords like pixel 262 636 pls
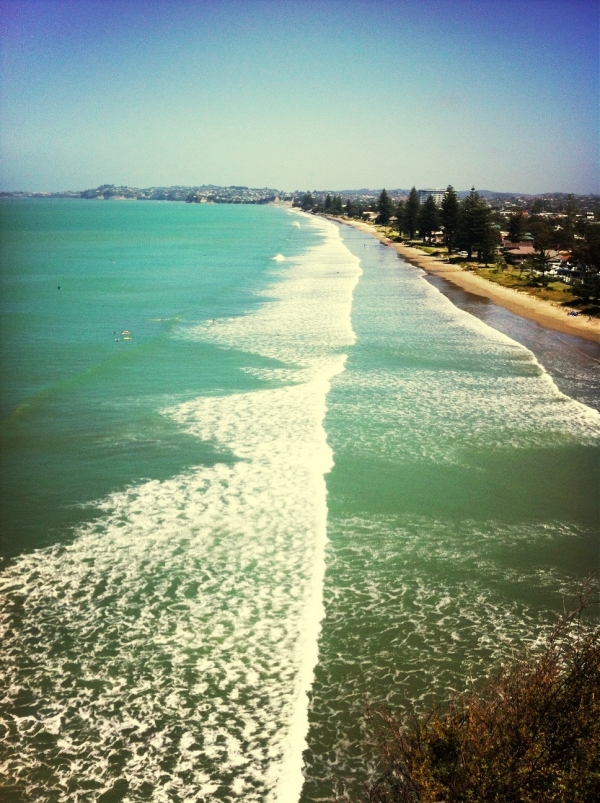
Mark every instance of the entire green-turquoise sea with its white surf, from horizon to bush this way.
pixel 258 473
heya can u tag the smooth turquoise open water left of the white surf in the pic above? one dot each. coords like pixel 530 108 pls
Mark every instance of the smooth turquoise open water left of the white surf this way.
pixel 82 410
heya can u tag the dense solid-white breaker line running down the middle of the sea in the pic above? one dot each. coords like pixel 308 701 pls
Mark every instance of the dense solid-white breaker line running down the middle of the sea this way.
pixel 308 325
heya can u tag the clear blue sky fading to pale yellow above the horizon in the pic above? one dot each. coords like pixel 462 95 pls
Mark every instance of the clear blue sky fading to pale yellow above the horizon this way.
pixel 301 95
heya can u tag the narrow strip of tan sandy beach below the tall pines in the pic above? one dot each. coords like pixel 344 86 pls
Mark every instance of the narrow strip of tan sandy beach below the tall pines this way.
pixel 545 313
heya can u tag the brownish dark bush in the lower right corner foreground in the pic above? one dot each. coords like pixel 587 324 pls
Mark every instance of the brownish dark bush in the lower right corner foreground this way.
pixel 532 735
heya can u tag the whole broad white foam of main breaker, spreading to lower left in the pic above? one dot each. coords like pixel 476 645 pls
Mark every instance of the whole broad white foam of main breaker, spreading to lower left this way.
pixel 168 650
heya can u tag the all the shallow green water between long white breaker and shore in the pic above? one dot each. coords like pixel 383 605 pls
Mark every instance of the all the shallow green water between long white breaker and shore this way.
pixel 452 537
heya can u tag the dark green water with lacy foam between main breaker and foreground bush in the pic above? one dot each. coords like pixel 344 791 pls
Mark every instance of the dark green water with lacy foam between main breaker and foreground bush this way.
pixel 415 608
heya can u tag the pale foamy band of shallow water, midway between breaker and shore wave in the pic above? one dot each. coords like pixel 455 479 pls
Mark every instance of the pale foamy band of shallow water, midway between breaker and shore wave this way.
pixel 395 417
